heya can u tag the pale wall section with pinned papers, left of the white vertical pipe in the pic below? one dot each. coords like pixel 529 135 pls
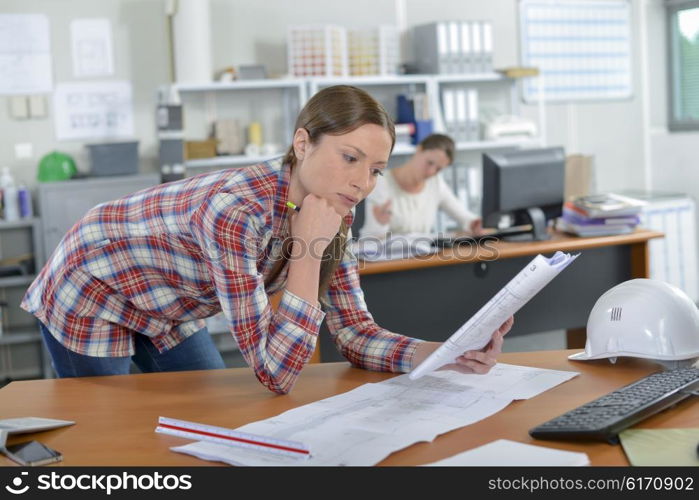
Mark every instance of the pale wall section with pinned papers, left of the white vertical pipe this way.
pixel 138 30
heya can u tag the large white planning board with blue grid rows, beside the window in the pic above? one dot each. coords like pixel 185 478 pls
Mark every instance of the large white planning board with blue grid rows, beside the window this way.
pixel 581 47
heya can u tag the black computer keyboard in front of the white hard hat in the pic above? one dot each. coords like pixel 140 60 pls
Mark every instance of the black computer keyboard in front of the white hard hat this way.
pixel 605 417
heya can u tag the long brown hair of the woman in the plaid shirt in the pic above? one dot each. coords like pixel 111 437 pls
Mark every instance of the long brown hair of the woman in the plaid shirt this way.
pixel 336 110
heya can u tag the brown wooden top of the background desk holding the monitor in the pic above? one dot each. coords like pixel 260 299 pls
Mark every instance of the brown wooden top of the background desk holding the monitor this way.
pixel 491 250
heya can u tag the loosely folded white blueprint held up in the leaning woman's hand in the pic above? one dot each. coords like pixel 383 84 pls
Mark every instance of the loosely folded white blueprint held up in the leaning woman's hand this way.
pixel 477 331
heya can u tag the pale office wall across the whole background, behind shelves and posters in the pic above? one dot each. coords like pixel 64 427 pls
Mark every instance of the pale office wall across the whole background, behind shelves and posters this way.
pixel 246 32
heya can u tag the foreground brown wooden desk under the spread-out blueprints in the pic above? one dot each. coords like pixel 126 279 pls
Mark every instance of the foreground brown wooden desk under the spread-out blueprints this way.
pixel 116 416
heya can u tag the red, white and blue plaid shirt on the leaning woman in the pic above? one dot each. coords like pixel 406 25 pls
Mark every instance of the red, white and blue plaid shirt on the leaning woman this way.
pixel 159 261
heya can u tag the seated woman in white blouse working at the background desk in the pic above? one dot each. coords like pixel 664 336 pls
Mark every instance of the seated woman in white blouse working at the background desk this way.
pixel 407 198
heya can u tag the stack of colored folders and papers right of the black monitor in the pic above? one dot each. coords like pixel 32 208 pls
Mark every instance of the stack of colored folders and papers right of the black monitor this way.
pixel 600 215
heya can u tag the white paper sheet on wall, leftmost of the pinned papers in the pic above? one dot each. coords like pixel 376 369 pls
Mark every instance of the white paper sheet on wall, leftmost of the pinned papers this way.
pixel 25 54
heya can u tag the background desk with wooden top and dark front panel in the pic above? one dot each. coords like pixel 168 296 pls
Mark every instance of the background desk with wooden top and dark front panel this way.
pixel 431 297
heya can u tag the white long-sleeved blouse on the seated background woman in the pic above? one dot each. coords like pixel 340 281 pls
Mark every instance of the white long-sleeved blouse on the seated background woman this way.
pixel 413 212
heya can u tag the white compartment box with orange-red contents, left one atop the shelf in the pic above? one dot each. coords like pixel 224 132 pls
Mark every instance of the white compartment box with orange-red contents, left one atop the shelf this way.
pixel 317 51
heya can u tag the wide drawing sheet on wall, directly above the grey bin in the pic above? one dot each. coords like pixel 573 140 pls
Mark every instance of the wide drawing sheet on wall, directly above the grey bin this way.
pixel 95 110
